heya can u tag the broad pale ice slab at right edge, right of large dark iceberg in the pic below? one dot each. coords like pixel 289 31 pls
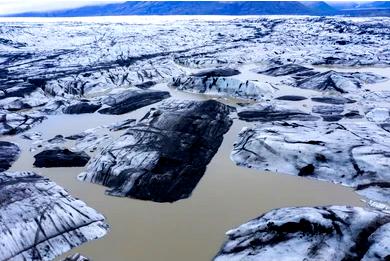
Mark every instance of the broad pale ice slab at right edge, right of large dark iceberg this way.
pixel 355 154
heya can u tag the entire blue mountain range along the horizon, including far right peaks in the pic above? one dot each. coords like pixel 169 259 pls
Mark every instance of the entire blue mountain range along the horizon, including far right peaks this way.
pixel 222 8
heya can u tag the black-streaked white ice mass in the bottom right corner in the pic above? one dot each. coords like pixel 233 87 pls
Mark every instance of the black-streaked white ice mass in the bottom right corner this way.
pixel 336 233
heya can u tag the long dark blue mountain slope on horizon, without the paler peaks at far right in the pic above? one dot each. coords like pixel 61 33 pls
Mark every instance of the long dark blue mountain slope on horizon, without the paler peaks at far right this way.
pixel 184 8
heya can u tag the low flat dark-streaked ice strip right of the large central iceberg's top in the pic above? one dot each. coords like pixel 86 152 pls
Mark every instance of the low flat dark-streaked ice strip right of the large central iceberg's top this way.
pixel 268 113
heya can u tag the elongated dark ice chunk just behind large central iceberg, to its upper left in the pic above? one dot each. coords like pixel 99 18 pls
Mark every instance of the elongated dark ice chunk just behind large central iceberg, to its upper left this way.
pixel 131 100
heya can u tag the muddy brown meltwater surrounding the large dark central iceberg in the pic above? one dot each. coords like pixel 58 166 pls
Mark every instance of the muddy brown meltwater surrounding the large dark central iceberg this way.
pixel 191 229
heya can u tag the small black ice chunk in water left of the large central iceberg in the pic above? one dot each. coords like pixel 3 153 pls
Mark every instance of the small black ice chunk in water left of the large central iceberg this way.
pixel 60 158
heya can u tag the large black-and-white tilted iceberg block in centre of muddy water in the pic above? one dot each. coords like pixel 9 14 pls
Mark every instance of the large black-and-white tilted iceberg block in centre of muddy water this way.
pixel 162 157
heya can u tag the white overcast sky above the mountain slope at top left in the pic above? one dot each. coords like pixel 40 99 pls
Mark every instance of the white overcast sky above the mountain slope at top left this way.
pixel 19 6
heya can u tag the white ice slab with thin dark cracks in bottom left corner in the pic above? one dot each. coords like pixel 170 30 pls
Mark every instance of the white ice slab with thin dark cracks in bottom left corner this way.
pixel 40 220
